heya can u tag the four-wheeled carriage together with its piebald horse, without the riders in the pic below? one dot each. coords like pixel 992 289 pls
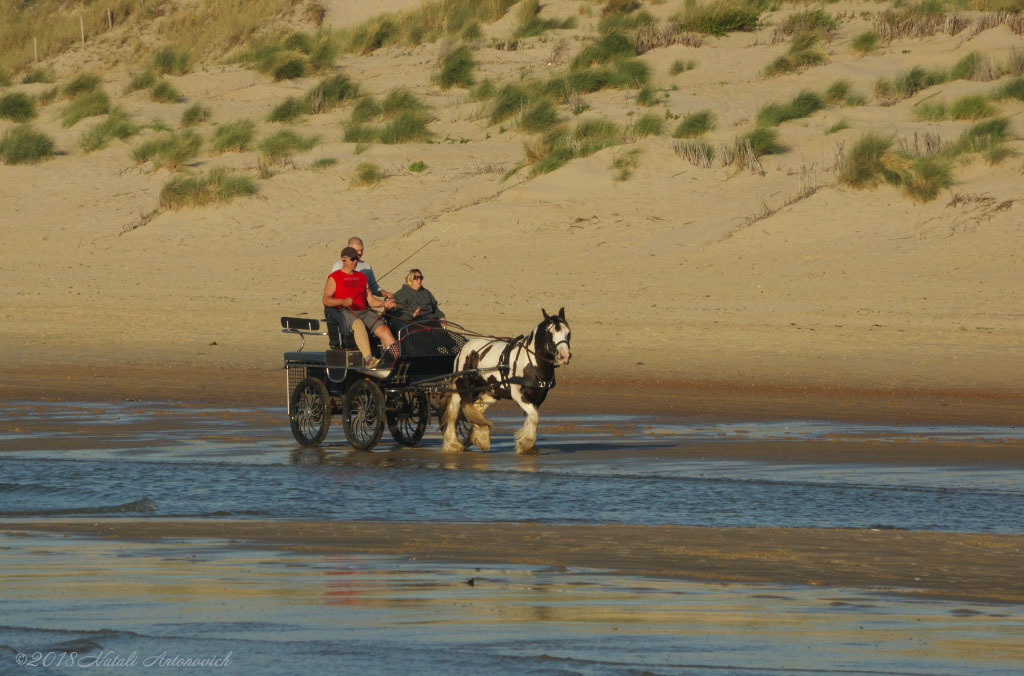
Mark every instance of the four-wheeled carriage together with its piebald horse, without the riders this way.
pixel 431 372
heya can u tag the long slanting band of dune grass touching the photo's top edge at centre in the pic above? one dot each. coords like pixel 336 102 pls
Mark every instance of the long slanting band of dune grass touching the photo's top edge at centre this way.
pixel 429 23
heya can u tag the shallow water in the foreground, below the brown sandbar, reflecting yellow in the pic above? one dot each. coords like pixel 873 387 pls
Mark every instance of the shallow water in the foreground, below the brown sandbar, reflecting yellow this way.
pixel 277 612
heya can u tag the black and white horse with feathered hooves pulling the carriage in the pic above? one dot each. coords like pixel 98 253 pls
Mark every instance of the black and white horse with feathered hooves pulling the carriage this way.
pixel 522 369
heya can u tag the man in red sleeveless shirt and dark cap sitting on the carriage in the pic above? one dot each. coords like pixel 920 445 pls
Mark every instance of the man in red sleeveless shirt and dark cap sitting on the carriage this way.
pixel 347 293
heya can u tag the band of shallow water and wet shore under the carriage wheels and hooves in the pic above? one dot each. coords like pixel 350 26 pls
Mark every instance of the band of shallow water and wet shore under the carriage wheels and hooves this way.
pixel 163 460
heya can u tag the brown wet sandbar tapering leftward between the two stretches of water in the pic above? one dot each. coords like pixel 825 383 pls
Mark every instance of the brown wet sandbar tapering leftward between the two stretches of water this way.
pixel 937 565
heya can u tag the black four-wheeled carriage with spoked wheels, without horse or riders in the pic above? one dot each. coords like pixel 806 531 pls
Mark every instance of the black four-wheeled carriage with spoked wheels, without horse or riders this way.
pixel 403 393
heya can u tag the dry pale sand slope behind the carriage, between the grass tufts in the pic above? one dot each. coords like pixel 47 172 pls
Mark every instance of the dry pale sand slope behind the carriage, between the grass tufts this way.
pixel 672 275
